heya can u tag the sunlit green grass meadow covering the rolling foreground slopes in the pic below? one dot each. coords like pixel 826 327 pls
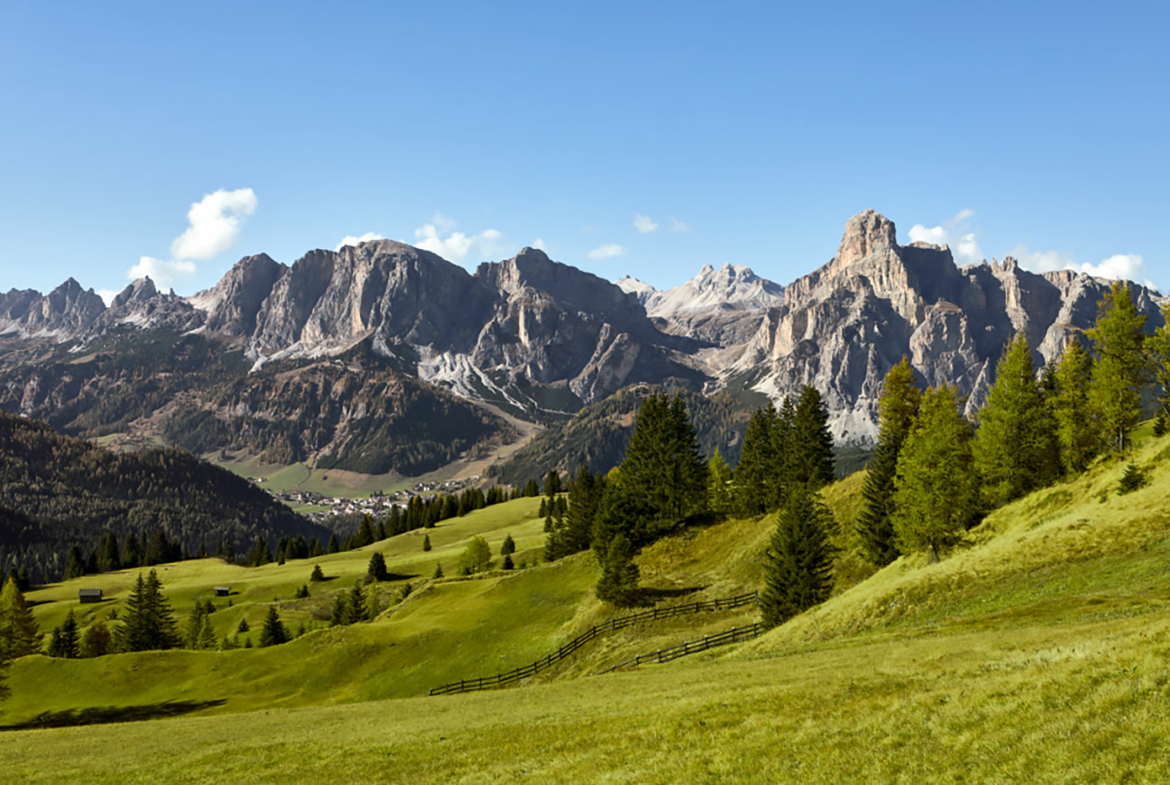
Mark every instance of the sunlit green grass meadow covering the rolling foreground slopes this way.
pixel 1040 651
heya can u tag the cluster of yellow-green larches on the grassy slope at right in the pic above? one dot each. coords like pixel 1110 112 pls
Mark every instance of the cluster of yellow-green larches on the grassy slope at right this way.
pixel 935 473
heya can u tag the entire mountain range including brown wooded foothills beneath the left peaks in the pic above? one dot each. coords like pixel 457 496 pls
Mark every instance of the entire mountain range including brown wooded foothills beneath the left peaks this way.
pixel 528 338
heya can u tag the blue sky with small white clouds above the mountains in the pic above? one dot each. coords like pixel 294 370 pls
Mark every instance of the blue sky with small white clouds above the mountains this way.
pixel 745 133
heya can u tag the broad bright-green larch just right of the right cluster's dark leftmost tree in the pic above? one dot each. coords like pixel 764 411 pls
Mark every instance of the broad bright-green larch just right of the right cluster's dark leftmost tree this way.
pixel 938 490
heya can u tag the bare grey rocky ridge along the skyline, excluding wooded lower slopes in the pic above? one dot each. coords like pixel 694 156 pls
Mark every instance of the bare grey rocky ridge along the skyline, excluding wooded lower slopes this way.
pixel 540 338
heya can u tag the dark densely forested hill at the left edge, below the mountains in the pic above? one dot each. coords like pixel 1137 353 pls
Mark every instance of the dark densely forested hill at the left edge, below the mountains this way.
pixel 78 508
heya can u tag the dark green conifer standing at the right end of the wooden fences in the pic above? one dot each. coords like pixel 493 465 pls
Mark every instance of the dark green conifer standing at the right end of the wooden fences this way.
pixel 800 569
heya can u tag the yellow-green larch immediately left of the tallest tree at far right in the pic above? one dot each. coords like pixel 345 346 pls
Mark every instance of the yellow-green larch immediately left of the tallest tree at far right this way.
pixel 1078 431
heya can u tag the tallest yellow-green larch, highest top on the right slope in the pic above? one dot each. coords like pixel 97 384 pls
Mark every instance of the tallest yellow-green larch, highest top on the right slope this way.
pixel 1121 368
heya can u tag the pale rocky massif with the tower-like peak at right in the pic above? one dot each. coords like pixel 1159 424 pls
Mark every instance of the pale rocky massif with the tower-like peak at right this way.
pixel 844 326
